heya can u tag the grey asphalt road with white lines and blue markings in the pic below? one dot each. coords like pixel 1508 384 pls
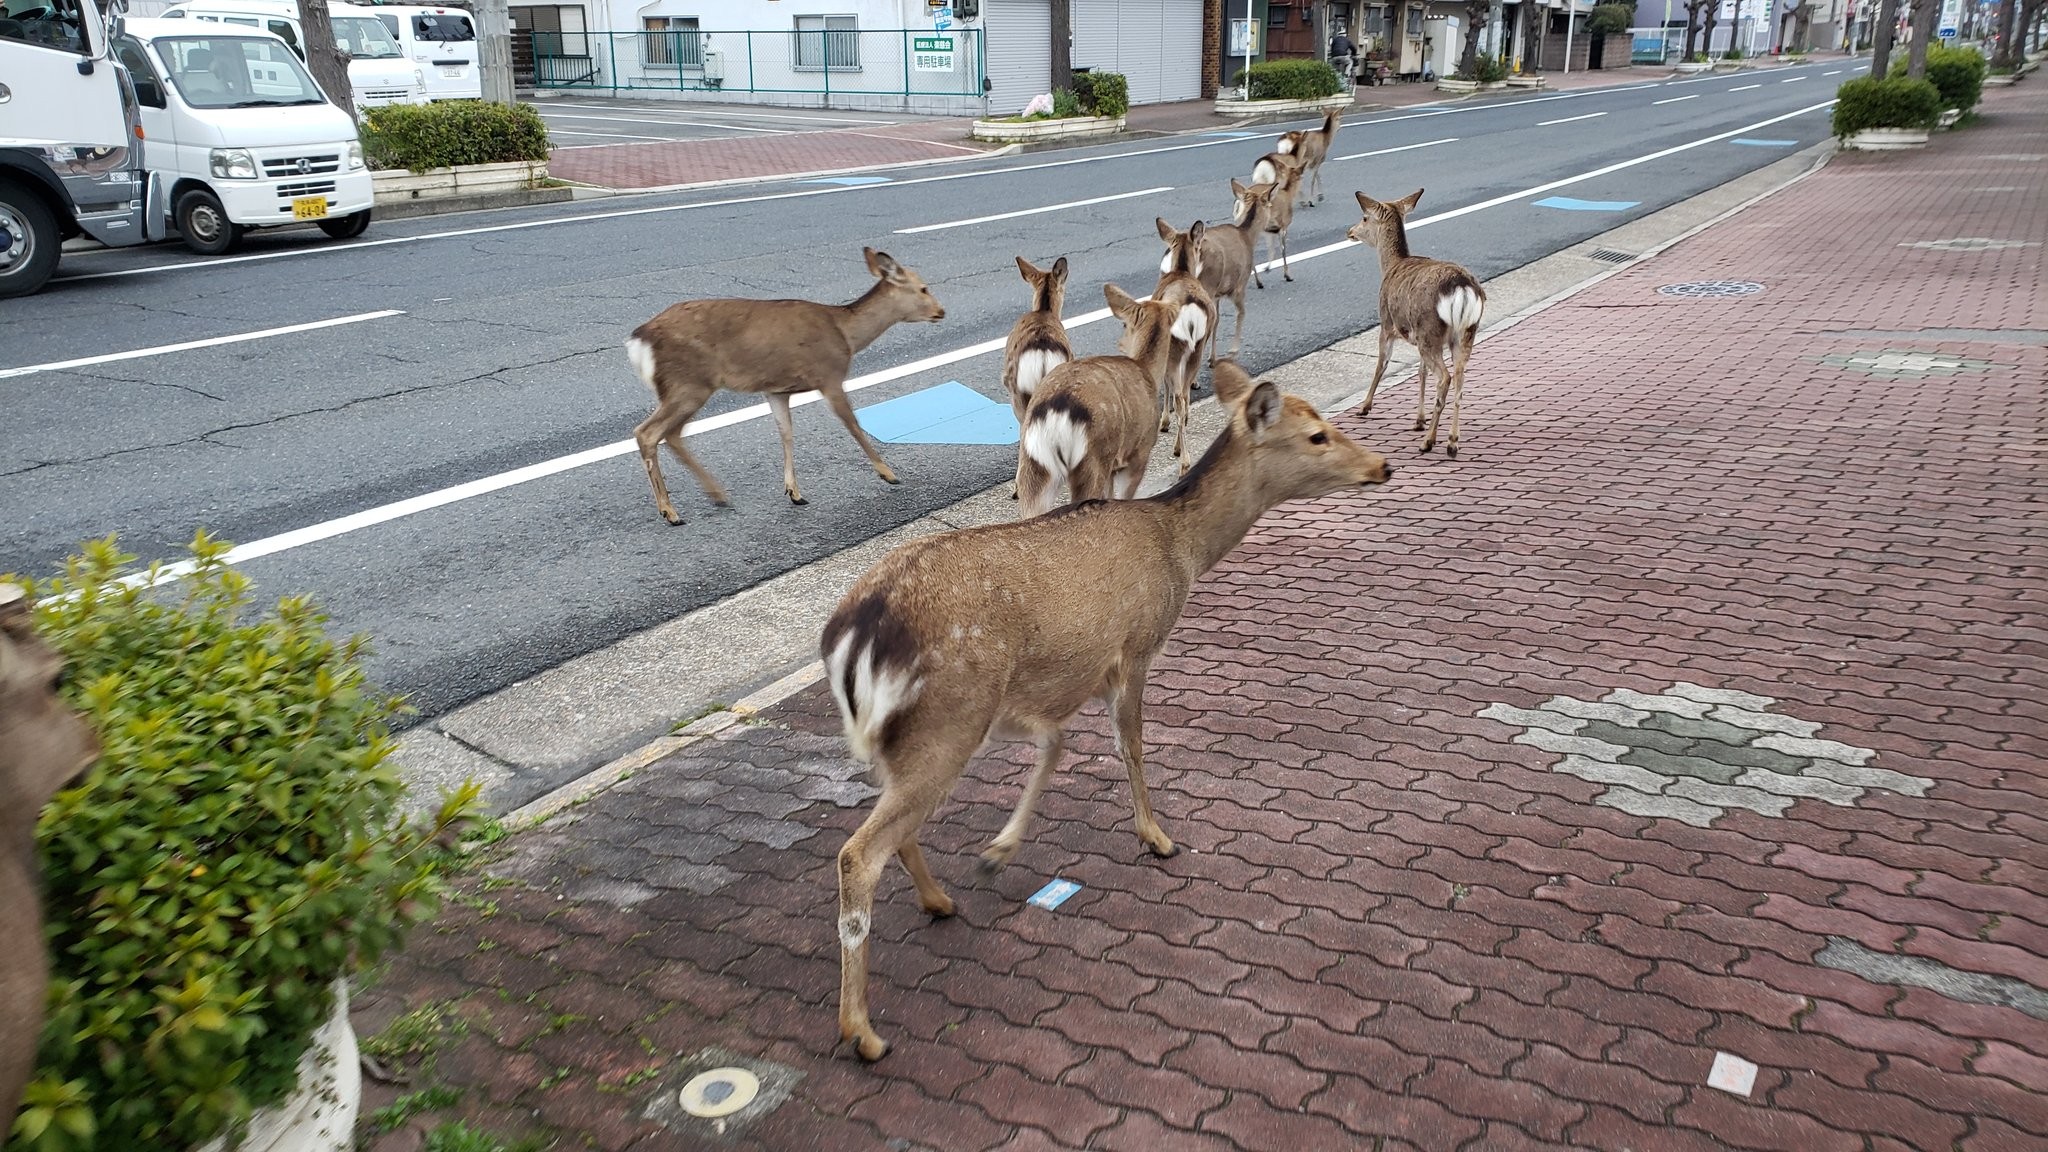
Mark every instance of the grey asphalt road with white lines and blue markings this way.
pixel 378 460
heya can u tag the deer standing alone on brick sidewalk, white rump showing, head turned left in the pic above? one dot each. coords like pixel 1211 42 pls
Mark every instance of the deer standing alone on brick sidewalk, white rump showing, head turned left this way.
pixel 1431 304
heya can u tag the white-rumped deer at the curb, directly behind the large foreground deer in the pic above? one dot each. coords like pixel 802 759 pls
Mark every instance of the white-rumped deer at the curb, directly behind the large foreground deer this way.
pixel 1091 427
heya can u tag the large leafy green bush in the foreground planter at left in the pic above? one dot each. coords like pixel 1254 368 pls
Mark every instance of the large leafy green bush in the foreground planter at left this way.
pixel 234 852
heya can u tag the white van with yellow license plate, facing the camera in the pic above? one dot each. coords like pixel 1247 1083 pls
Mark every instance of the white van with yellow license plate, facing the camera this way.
pixel 237 134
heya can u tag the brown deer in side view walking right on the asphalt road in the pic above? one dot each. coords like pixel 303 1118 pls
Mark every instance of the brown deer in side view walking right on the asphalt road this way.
pixel 771 347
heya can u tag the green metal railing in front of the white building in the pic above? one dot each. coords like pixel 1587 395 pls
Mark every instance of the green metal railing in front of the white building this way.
pixel 826 63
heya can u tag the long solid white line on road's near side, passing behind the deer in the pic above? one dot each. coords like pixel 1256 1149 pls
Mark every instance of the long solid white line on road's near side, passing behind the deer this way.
pixel 329 530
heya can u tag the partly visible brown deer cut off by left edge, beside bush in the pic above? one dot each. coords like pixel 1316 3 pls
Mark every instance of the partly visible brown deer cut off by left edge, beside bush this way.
pixel 44 749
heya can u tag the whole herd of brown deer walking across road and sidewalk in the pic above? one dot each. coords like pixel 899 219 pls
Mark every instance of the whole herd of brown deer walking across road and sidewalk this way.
pixel 1011 630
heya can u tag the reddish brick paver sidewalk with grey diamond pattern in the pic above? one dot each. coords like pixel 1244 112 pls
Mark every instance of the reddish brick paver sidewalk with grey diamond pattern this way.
pixel 1699 708
